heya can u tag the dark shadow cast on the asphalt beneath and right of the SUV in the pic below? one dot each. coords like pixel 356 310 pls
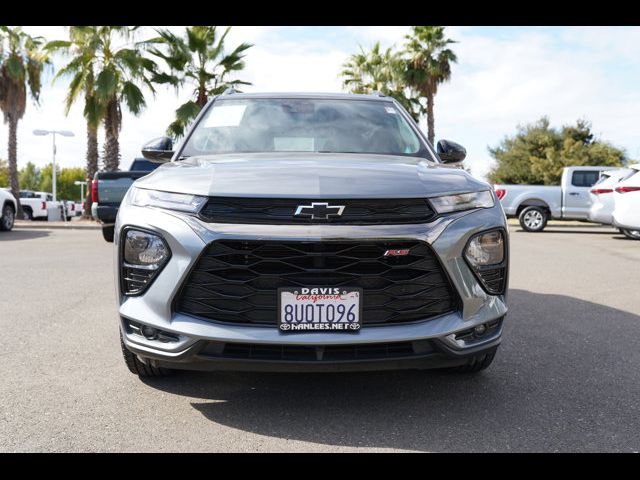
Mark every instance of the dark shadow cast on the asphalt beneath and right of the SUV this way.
pixel 565 379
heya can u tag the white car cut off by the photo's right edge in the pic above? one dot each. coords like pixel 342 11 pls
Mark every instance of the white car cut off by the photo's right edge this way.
pixel 626 214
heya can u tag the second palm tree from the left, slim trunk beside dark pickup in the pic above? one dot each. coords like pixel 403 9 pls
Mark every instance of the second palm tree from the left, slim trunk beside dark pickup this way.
pixel 82 47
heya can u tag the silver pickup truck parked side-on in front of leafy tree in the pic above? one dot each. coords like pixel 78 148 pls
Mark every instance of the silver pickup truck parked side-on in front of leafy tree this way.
pixel 534 205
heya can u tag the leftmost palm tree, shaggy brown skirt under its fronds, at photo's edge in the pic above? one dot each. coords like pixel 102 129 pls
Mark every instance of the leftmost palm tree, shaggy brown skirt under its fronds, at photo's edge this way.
pixel 22 61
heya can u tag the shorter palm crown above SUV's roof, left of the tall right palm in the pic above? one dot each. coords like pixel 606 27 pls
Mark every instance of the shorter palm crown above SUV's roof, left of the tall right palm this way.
pixel 371 71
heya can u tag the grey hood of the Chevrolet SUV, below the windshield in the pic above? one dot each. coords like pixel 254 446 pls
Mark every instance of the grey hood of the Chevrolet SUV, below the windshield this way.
pixel 310 175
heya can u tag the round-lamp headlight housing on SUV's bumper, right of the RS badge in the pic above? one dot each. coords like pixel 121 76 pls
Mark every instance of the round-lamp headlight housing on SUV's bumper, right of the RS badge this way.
pixel 486 254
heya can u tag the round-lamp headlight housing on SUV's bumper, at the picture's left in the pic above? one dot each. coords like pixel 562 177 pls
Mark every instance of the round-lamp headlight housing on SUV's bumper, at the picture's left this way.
pixel 143 255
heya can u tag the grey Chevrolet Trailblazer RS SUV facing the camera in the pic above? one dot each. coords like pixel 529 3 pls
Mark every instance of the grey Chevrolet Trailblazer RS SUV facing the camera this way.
pixel 309 232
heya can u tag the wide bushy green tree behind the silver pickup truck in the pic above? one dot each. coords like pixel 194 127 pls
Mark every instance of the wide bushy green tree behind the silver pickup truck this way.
pixel 538 153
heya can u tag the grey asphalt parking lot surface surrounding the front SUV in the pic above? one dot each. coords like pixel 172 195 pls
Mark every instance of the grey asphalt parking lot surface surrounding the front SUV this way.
pixel 566 377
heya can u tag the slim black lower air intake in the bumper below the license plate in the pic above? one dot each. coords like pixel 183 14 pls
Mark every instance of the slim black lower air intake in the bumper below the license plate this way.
pixel 312 353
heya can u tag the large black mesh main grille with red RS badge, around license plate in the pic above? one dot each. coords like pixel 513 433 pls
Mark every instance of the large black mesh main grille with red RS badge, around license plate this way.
pixel 236 281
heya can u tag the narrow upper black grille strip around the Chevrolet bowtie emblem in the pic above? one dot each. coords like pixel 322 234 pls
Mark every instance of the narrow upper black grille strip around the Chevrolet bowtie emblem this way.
pixel 388 211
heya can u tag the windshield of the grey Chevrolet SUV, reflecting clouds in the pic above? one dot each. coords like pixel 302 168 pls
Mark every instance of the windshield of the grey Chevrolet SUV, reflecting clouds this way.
pixel 303 125
